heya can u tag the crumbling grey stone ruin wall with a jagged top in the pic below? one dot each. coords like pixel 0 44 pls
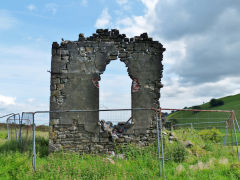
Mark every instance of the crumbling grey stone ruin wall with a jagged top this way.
pixel 76 69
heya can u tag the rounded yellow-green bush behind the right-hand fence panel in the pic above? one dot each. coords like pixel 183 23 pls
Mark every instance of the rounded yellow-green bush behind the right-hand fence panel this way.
pixel 211 134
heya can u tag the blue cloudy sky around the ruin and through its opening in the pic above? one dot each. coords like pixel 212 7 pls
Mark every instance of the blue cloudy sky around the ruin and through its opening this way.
pixel 201 38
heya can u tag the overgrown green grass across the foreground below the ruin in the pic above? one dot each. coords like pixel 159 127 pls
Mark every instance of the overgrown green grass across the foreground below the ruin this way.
pixel 206 159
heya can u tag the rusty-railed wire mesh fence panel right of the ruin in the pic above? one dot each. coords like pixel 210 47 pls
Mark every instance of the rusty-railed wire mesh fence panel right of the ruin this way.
pixel 202 129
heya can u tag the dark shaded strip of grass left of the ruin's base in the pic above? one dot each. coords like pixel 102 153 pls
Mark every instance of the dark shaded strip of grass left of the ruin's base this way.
pixel 26 146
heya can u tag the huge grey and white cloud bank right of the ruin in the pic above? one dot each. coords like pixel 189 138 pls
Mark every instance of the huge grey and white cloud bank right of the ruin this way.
pixel 198 46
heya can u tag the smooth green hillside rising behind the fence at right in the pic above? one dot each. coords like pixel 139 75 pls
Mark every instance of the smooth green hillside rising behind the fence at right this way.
pixel 230 103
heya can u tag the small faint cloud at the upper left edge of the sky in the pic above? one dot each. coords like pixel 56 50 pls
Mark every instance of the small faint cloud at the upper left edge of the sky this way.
pixel 6 20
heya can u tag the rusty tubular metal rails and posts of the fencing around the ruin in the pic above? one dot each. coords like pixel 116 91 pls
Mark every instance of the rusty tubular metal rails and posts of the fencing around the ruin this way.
pixel 159 128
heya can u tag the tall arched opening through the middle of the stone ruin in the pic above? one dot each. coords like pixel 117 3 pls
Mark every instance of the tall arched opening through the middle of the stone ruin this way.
pixel 115 92
